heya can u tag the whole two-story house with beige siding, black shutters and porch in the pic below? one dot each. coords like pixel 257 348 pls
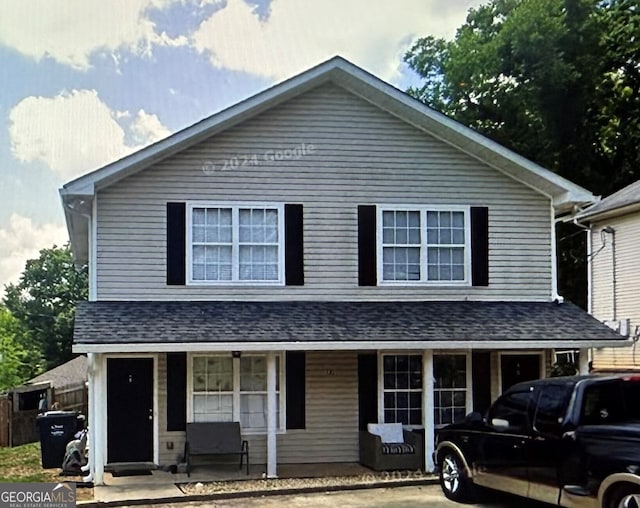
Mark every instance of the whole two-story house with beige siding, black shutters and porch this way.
pixel 325 254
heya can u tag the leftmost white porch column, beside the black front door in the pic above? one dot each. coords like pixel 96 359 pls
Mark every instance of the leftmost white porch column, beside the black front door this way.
pixel 98 418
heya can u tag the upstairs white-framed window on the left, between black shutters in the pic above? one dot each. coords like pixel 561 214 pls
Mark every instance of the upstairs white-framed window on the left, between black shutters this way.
pixel 235 243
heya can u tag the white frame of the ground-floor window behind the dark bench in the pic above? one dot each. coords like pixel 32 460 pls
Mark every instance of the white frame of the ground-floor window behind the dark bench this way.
pixel 282 395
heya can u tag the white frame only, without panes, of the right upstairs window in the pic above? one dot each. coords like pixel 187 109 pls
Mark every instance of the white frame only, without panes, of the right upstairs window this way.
pixel 423 209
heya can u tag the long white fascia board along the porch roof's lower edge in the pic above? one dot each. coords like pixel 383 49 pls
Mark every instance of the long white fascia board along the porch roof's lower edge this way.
pixel 133 347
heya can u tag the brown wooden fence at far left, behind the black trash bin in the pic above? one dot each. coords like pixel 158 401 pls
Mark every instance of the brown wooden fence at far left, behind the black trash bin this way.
pixel 19 427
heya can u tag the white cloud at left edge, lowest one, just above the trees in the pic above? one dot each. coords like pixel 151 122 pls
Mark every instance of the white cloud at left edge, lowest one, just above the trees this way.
pixel 21 240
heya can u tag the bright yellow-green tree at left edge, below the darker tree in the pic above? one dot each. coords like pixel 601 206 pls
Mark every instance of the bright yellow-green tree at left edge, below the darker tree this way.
pixel 17 362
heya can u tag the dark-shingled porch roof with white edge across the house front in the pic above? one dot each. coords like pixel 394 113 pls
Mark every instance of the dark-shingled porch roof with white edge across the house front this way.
pixel 142 326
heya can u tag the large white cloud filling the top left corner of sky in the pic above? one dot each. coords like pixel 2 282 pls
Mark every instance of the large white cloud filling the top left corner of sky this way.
pixel 69 31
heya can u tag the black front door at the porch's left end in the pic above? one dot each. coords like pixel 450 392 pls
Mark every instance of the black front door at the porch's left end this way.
pixel 129 410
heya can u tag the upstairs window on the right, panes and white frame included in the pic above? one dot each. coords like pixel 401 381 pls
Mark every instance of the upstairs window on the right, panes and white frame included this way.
pixel 425 244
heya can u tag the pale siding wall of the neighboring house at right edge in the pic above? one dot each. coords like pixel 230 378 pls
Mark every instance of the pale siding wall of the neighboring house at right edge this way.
pixel 627 262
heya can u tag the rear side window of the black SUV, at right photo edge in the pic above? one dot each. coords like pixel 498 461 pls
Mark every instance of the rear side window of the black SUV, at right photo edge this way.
pixel 611 402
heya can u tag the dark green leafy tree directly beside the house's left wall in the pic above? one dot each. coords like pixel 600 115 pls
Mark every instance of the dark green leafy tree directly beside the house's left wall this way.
pixel 44 302
